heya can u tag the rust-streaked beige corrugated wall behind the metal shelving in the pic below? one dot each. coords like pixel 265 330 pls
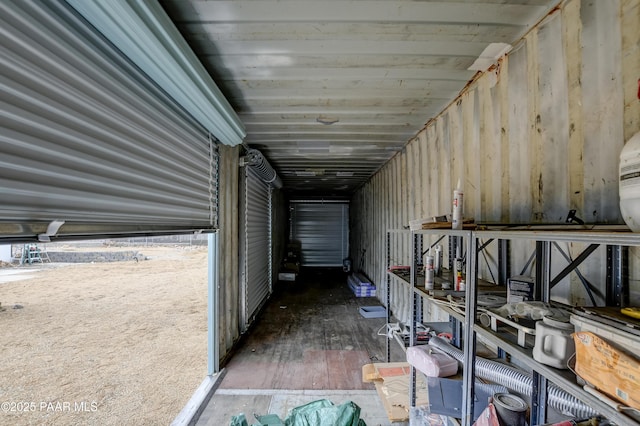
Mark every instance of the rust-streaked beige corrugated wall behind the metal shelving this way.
pixel 530 140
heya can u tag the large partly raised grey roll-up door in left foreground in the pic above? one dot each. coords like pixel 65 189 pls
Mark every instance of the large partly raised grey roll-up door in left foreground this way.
pixel 88 140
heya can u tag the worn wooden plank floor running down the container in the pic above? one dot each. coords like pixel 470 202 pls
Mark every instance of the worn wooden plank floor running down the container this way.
pixel 310 336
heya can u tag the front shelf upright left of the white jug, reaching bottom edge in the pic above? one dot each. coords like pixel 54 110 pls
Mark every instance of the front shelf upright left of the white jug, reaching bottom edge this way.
pixel 471 310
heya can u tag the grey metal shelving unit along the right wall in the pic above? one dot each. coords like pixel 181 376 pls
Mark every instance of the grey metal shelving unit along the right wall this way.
pixel 616 240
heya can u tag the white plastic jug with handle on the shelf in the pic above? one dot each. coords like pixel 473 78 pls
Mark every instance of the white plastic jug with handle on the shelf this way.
pixel 554 344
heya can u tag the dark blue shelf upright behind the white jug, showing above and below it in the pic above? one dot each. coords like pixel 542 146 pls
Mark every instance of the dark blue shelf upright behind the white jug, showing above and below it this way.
pixel 543 288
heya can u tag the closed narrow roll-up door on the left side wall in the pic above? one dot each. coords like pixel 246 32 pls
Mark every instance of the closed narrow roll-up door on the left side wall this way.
pixel 255 243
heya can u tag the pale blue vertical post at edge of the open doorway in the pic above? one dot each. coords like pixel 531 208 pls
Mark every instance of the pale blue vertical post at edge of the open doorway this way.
pixel 213 341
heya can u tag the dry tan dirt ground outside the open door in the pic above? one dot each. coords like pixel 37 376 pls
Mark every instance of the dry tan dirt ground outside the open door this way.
pixel 120 343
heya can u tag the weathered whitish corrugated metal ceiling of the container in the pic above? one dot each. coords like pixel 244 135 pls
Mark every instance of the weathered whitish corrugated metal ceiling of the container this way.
pixel 331 90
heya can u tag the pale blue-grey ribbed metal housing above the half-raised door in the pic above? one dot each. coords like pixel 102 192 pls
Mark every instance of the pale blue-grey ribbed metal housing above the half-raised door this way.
pixel 146 35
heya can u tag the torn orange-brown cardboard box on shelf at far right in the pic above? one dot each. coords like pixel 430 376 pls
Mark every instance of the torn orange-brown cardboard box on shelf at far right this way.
pixel 608 368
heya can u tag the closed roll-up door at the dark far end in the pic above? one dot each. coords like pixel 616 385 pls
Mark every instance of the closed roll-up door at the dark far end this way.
pixel 322 228
